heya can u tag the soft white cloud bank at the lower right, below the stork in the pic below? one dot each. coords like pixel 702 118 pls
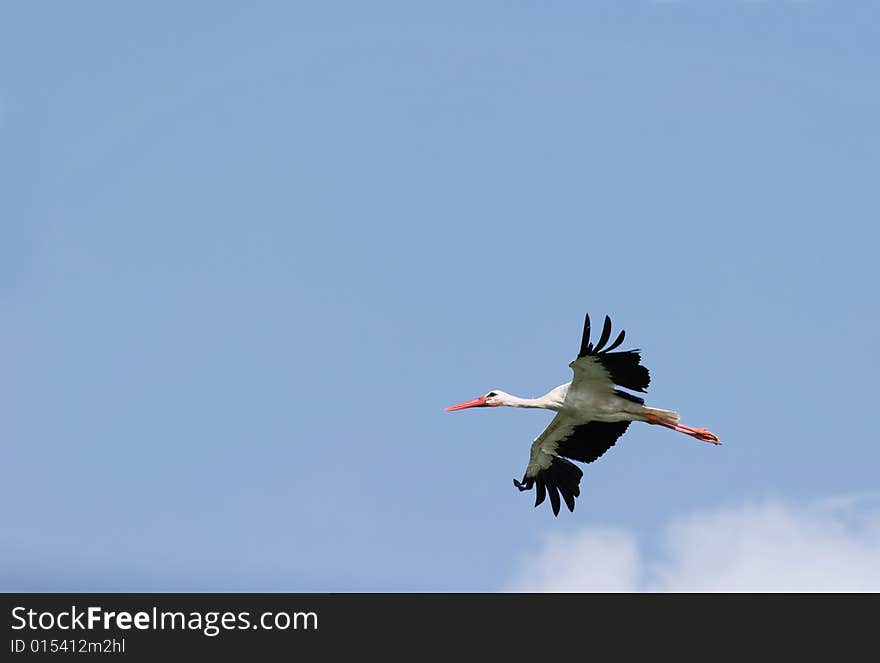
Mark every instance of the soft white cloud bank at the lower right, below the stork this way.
pixel 772 546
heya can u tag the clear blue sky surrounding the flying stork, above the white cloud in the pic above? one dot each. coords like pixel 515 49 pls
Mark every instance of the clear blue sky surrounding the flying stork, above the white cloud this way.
pixel 249 253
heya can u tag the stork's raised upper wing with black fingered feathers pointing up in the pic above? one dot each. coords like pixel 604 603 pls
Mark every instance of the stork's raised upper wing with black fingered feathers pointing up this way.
pixel 598 369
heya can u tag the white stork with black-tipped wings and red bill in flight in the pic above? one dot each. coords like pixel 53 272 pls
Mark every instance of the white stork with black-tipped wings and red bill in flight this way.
pixel 591 414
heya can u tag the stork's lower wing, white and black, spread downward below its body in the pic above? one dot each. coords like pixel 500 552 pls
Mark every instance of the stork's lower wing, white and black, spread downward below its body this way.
pixel 549 471
